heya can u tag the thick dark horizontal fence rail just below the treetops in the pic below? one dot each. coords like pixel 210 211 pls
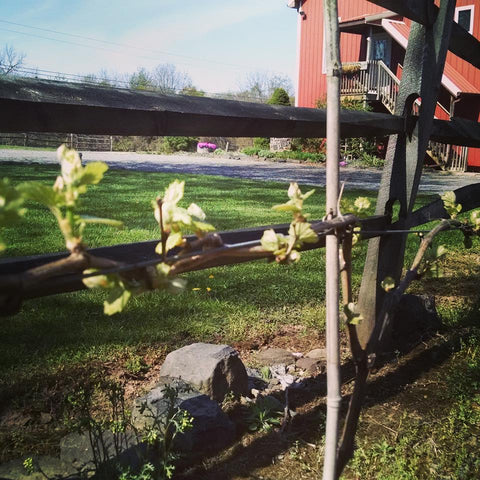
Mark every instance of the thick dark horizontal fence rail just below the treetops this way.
pixel 49 106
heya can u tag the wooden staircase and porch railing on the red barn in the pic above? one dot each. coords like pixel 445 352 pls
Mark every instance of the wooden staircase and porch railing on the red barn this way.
pixel 374 81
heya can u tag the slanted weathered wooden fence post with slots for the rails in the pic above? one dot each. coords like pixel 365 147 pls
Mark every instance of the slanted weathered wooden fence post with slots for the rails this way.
pixel 422 73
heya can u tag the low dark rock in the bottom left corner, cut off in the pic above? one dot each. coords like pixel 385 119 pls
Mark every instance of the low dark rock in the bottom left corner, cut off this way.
pixel 51 466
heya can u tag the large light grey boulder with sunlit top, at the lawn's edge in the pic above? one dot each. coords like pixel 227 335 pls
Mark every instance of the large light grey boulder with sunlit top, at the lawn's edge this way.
pixel 212 369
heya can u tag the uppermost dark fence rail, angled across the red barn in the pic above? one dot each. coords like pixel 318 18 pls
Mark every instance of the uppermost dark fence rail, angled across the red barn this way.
pixel 461 43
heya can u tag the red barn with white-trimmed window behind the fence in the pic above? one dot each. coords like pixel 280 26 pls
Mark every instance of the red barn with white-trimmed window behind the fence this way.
pixel 373 41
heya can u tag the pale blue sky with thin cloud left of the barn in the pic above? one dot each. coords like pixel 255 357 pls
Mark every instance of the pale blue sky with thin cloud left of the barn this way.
pixel 216 42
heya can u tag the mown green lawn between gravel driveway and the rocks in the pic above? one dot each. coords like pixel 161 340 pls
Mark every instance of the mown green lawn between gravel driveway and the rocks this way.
pixel 245 301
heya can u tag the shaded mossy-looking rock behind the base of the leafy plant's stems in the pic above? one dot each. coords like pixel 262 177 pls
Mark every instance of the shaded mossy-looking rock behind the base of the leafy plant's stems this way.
pixel 76 449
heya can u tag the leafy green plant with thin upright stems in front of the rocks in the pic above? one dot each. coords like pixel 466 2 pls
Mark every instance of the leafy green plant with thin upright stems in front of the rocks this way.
pixel 158 434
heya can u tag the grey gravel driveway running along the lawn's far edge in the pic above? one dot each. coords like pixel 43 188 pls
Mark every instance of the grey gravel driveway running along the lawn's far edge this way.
pixel 241 166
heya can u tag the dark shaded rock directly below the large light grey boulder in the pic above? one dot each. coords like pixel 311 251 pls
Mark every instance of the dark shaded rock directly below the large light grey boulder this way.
pixel 212 429
